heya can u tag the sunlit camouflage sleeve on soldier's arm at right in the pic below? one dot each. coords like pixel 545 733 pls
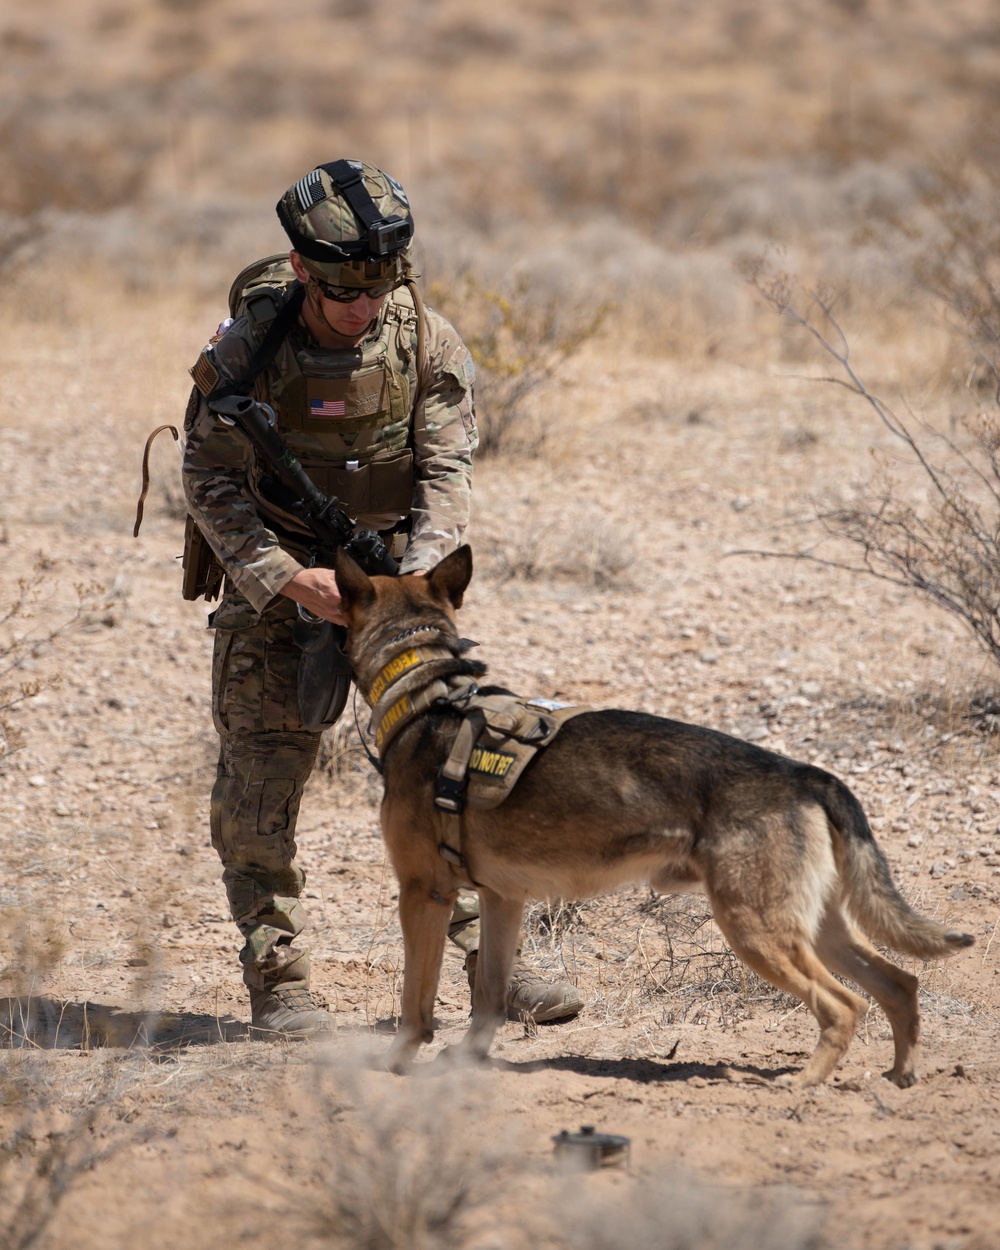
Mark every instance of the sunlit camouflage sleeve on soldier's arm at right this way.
pixel 444 441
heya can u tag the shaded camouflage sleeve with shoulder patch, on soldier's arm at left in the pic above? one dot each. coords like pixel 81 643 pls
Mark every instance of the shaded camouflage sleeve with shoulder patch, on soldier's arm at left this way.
pixel 217 458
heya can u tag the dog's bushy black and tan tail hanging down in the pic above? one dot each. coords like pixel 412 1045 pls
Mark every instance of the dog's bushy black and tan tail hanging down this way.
pixel 868 887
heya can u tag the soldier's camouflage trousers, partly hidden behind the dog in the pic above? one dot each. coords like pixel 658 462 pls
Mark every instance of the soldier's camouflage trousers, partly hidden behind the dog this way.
pixel 266 761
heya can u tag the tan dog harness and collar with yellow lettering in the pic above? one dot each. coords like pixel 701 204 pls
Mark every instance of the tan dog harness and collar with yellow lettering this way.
pixel 499 734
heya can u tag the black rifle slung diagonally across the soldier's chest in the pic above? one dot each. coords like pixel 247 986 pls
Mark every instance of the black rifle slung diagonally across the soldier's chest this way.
pixel 322 514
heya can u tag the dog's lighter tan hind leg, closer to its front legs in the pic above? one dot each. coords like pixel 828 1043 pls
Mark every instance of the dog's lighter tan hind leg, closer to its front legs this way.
pixel 788 959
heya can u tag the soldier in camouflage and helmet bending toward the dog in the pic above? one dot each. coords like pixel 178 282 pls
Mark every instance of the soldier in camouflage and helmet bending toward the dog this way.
pixel 374 394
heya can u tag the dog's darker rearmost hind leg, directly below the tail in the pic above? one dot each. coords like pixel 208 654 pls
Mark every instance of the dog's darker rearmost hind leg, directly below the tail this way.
pixel 847 953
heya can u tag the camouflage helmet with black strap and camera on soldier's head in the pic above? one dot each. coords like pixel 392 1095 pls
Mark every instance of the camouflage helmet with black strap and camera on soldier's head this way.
pixel 351 224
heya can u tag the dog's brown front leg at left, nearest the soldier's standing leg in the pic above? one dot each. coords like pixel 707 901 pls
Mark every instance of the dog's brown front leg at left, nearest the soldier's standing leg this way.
pixel 424 913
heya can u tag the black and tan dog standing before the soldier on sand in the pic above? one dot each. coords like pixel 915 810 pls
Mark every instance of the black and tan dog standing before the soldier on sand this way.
pixel 782 849
